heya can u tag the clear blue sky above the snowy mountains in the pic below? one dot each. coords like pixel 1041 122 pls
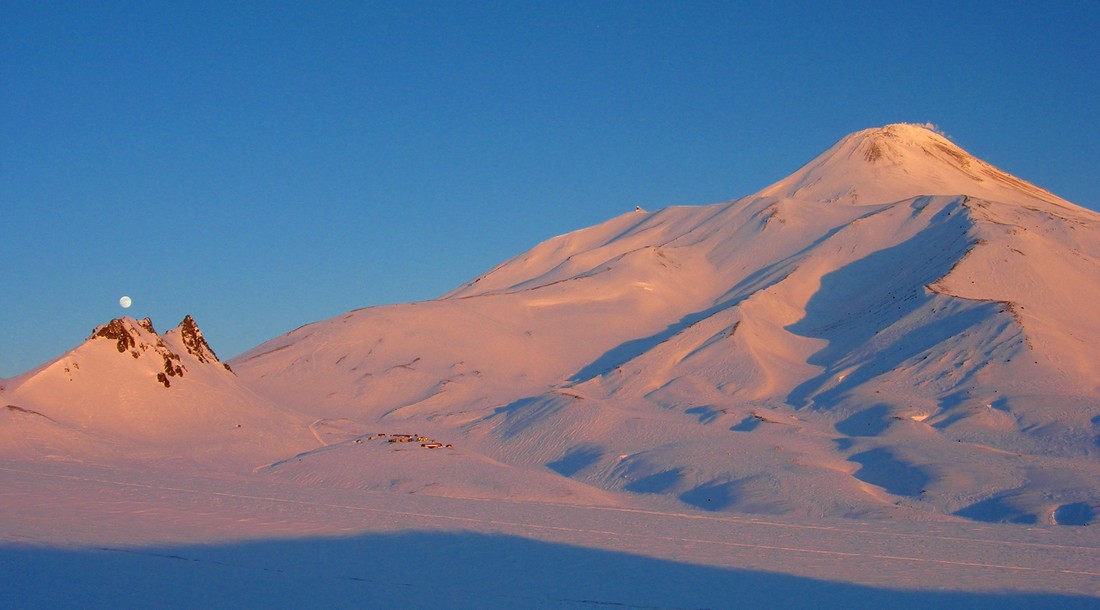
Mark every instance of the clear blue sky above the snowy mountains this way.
pixel 263 165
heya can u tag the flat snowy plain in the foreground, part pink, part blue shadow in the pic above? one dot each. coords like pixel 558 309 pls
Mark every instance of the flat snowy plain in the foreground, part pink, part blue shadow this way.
pixel 97 537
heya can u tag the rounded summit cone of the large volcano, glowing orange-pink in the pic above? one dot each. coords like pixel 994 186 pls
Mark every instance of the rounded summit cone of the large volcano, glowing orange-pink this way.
pixel 898 162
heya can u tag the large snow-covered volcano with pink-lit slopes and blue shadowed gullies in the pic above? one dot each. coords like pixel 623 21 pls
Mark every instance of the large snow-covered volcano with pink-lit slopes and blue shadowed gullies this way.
pixel 898 329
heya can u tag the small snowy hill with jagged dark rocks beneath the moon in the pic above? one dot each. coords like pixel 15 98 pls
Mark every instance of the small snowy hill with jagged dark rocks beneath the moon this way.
pixel 128 392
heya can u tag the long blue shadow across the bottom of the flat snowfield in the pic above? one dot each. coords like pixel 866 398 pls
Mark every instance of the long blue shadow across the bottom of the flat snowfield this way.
pixel 432 570
